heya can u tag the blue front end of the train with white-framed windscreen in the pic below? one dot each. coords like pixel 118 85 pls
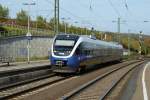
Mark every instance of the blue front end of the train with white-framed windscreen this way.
pixel 63 58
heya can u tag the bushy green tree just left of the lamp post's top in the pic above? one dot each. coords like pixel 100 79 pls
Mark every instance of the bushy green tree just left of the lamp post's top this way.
pixel 22 18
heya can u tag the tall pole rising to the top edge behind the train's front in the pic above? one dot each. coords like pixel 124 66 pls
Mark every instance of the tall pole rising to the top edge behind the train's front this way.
pixel 56 17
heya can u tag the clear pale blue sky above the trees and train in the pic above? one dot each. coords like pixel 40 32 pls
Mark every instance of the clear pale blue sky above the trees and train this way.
pixel 100 14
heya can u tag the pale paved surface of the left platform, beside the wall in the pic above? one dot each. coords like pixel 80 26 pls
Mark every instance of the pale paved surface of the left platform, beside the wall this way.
pixel 23 65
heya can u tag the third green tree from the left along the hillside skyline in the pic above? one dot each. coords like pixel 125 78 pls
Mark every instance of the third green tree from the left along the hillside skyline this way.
pixel 41 22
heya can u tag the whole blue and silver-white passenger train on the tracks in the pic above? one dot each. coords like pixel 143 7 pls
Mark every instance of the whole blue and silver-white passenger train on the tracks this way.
pixel 74 53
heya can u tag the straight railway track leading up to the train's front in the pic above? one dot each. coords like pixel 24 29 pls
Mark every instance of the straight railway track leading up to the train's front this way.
pixel 29 85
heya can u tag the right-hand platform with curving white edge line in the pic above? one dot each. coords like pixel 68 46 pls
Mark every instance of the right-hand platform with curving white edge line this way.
pixel 138 87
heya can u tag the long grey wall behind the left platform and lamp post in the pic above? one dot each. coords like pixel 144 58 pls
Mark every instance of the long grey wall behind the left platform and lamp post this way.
pixel 16 47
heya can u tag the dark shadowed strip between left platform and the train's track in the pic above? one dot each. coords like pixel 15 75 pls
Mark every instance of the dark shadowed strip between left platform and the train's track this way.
pixel 19 76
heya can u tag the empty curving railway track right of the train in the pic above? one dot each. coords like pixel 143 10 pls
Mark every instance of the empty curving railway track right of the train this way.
pixel 90 90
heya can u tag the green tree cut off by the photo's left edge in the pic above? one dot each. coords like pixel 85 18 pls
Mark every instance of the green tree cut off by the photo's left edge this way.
pixel 4 13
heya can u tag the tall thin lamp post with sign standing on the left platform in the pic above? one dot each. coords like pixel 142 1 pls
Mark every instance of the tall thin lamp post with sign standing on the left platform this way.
pixel 28 35
